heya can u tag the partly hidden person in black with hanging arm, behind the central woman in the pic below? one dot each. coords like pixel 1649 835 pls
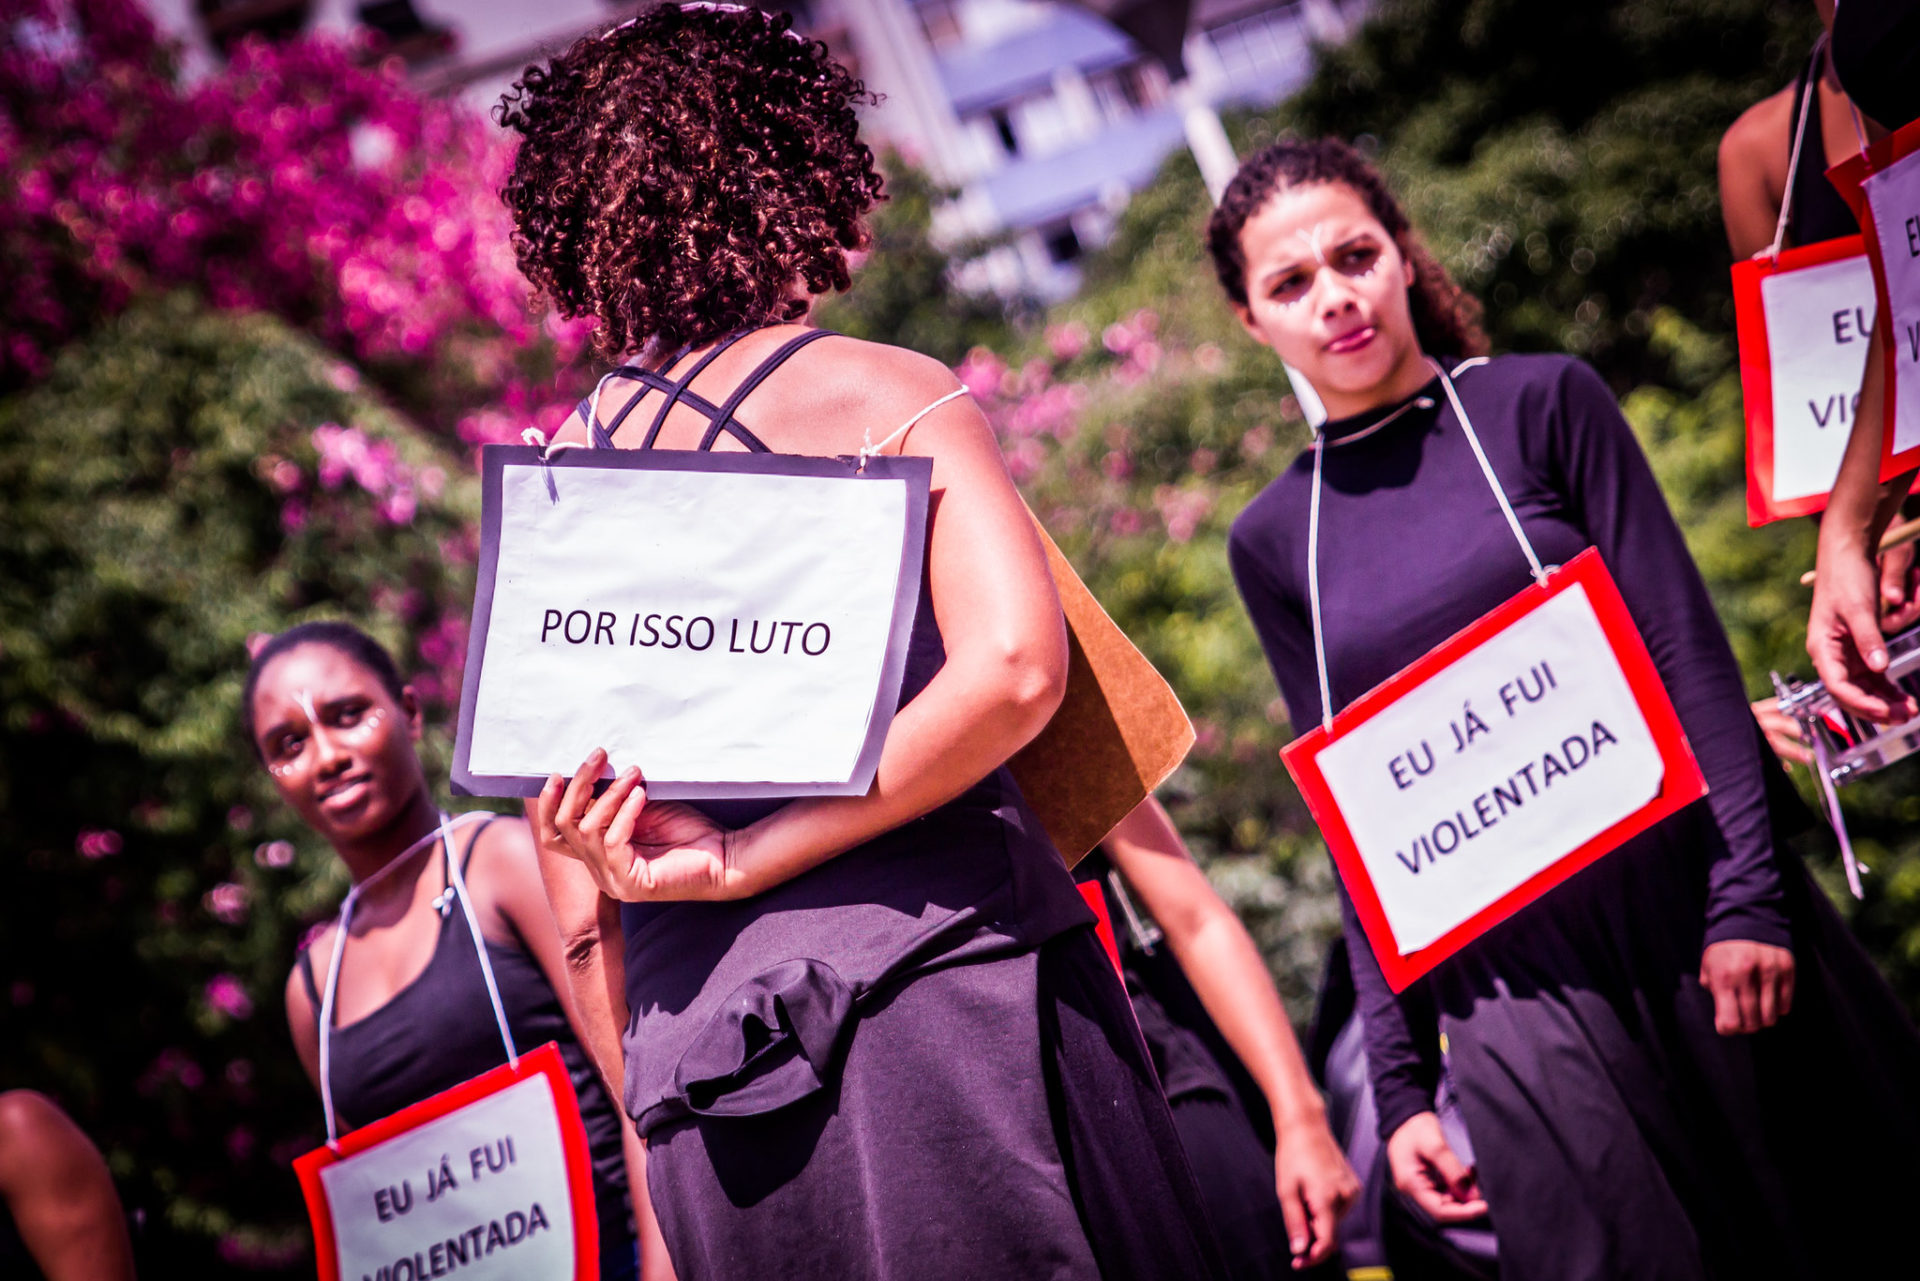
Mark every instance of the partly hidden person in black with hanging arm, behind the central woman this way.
pixel 1211 1019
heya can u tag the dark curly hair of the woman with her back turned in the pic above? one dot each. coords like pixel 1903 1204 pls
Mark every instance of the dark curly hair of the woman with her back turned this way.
pixel 681 174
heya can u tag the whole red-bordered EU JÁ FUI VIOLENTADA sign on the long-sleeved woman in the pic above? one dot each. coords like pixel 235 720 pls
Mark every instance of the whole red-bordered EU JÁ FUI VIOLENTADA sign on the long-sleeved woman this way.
pixel 1493 769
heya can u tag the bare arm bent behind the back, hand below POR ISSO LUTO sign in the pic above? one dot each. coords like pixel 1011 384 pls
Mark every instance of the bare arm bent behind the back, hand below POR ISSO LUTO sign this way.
pixel 1003 679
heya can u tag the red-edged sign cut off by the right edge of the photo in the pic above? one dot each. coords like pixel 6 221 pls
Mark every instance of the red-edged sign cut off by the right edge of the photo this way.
pixel 1884 189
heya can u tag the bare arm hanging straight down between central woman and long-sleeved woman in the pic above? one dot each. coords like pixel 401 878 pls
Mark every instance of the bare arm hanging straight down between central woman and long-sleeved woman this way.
pixel 1220 959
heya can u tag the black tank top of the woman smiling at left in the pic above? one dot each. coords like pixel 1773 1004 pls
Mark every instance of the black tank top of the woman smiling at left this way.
pixel 439 1030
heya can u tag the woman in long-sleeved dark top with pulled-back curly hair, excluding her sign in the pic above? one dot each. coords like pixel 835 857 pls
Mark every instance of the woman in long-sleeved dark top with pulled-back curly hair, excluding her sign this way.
pixel 1668 1063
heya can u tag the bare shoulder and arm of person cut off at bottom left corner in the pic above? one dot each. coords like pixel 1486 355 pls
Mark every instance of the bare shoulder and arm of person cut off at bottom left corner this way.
pixel 60 1219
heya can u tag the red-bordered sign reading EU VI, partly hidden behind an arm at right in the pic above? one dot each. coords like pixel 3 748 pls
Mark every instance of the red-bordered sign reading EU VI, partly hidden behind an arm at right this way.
pixel 1806 322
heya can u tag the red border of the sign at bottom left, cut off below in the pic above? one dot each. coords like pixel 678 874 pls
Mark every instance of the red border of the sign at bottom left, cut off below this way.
pixel 544 1061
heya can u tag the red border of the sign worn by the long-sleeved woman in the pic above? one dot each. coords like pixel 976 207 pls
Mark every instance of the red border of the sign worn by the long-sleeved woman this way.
pixel 1681 786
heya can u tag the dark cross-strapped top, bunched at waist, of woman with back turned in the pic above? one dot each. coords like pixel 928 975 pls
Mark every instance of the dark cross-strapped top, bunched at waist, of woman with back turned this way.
pixel 738 1009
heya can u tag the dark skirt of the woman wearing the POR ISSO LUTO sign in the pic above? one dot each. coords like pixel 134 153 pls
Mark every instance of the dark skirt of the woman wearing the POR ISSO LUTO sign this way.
pixel 988 1121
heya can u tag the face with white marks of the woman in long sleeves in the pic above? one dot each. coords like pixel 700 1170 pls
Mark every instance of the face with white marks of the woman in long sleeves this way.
pixel 1328 289
